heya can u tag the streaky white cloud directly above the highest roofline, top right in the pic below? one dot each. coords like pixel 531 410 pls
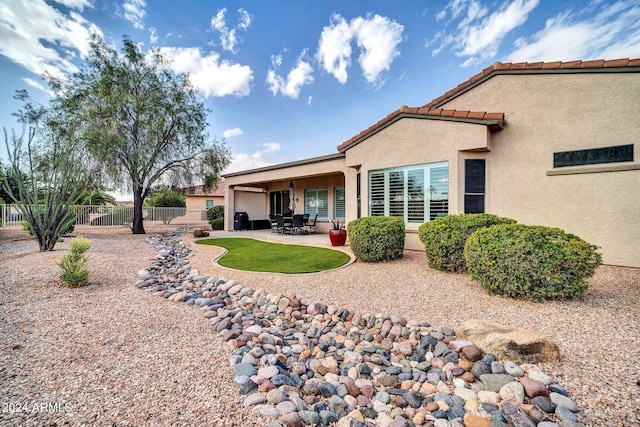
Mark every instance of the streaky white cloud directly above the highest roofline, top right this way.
pixel 613 32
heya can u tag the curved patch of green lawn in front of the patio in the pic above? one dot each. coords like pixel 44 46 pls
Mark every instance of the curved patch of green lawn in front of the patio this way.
pixel 255 255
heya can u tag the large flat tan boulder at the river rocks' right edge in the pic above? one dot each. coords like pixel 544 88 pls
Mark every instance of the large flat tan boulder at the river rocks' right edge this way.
pixel 508 343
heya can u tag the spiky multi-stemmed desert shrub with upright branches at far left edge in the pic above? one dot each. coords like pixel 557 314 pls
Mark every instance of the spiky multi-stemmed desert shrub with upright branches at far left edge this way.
pixel 47 170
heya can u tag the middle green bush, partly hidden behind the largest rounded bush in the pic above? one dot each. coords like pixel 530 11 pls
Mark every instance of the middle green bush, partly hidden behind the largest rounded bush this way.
pixel 444 238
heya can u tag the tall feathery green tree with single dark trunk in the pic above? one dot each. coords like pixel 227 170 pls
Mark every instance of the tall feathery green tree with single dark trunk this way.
pixel 140 121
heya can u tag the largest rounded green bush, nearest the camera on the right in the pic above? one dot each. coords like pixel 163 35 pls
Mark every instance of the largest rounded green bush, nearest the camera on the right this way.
pixel 531 262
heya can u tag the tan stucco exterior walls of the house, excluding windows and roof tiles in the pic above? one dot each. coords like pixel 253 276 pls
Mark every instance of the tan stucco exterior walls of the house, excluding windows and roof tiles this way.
pixel 546 112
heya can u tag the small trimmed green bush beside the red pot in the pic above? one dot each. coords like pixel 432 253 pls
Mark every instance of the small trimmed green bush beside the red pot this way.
pixel 376 238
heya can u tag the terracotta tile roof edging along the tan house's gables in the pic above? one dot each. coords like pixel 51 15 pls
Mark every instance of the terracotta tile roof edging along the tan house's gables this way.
pixel 495 121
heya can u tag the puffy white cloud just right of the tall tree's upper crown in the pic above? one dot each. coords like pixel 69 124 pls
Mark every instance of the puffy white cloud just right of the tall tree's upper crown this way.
pixel 212 76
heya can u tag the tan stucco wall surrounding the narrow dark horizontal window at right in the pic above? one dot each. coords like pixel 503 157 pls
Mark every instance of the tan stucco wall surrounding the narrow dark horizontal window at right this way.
pixel 552 113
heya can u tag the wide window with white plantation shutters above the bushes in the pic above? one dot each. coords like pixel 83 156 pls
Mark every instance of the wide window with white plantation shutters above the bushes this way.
pixel 402 192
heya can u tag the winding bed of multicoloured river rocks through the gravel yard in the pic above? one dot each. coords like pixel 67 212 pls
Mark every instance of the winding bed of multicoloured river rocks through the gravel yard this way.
pixel 301 362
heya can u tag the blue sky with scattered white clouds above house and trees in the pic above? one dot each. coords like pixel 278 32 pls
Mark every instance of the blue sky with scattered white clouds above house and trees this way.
pixel 287 80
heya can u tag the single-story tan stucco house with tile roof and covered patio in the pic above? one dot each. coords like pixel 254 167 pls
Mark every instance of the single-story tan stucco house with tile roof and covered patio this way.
pixel 554 143
